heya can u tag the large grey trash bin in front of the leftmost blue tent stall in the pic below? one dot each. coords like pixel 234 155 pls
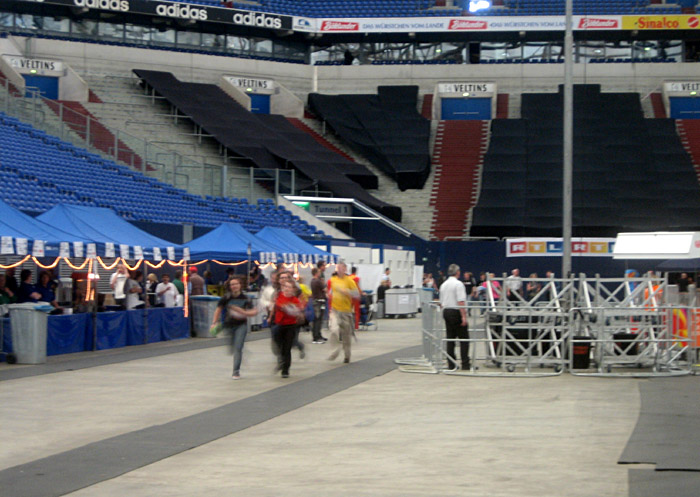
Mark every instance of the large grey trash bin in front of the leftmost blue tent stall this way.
pixel 28 322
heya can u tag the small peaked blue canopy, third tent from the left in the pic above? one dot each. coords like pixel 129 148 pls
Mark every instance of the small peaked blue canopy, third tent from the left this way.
pixel 230 242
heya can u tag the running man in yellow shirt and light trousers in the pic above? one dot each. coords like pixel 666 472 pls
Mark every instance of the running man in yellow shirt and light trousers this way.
pixel 341 321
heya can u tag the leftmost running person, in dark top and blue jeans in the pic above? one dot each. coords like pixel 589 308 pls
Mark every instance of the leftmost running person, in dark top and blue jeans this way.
pixel 233 310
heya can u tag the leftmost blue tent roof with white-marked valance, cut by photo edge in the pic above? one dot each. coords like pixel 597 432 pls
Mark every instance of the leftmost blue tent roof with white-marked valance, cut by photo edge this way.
pixel 15 227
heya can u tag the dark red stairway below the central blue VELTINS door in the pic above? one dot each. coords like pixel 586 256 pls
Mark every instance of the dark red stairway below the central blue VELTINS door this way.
pixel 457 156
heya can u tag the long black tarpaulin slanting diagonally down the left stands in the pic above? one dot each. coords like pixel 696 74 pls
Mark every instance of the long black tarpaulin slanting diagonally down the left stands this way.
pixel 268 141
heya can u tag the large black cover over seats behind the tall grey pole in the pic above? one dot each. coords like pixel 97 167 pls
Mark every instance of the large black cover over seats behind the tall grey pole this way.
pixel 630 173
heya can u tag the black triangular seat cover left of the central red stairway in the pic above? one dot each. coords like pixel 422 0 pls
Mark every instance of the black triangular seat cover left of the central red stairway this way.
pixel 386 128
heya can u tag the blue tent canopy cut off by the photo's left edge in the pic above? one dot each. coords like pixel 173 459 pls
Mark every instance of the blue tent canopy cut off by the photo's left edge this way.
pixel 16 224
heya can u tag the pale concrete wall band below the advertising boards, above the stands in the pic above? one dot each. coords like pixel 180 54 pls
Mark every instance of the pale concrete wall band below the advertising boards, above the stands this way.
pixel 301 79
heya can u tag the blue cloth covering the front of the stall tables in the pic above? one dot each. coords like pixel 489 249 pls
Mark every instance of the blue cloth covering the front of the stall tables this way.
pixel 72 333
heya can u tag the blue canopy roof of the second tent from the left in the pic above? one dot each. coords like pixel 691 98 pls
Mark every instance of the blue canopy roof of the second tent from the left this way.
pixel 105 227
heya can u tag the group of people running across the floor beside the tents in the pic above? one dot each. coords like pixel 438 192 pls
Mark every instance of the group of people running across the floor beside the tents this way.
pixel 289 304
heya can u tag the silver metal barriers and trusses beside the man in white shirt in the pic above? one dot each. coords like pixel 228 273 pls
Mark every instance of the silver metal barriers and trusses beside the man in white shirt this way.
pixel 630 332
